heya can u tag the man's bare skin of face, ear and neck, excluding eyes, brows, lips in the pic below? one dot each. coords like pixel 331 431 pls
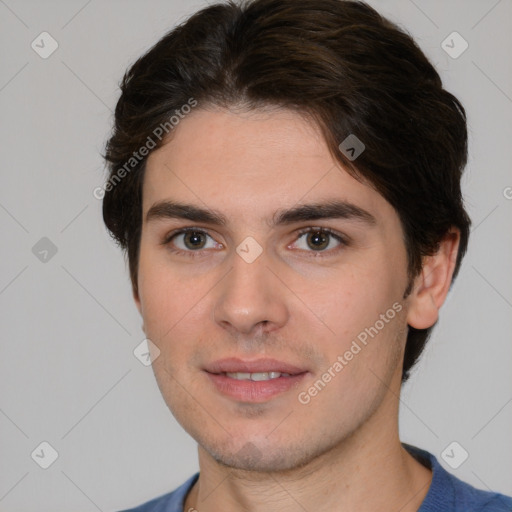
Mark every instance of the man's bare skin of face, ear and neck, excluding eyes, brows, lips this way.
pixel 341 451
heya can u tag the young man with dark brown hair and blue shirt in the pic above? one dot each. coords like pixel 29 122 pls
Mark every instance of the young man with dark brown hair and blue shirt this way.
pixel 285 179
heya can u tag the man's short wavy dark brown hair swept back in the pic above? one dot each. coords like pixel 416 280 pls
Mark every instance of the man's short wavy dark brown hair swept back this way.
pixel 341 63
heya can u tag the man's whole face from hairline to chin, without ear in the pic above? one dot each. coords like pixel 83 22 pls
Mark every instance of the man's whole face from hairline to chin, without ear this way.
pixel 261 283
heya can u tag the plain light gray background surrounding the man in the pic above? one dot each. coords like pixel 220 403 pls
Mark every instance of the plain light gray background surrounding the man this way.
pixel 68 375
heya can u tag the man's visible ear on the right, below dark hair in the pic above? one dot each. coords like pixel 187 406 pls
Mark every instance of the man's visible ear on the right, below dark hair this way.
pixel 431 286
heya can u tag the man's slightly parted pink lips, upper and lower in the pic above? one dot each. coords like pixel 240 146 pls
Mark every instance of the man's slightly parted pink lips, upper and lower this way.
pixel 253 391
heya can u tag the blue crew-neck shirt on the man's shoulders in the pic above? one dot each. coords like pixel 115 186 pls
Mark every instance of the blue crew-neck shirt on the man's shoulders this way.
pixel 446 493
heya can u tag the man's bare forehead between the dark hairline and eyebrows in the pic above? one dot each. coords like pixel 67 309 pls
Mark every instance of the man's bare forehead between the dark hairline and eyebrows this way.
pixel 251 163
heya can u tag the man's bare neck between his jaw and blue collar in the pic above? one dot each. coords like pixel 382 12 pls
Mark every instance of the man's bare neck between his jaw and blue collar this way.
pixel 368 471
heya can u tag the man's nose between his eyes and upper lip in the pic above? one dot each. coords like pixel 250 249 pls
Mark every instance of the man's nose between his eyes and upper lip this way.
pixel 251 298
